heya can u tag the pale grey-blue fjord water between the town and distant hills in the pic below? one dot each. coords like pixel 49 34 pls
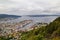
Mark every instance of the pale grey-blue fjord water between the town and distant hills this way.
pixel 43 19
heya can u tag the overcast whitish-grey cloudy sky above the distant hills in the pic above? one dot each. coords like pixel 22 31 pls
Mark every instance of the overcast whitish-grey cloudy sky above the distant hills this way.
pixel 29 7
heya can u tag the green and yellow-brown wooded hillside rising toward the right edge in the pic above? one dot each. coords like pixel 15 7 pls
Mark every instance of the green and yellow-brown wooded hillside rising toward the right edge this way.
pixel 50 32
